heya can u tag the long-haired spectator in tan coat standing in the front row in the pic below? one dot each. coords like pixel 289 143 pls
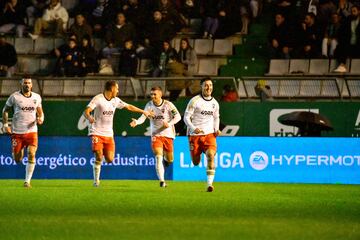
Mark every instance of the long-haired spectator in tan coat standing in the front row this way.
pixel 187 56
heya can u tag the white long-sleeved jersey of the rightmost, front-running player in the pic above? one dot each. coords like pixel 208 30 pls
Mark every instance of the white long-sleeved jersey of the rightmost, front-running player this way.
pixel 203 114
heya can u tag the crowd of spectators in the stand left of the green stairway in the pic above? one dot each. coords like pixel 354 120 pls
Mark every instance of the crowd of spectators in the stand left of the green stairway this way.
pixel 132 29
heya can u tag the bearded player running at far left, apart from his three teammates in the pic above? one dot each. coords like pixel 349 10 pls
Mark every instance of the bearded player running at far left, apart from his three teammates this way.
pixel 27 114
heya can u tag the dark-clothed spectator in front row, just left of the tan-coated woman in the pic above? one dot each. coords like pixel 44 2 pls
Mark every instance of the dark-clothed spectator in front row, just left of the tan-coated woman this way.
pixel 161 61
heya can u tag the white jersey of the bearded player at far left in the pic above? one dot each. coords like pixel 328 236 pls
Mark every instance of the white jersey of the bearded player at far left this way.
pixel 24 117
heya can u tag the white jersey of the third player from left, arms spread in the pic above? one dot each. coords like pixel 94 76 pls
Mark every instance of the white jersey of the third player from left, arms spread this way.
pixel 165 112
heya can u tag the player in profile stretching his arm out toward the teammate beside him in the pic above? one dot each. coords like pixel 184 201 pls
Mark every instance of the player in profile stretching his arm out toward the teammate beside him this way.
pixel 101 131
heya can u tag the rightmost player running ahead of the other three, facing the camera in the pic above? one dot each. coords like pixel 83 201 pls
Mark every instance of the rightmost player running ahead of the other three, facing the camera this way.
pixel 202 119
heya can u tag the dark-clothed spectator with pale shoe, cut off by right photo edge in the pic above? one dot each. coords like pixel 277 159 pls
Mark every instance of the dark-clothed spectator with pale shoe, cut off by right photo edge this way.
pixel 349 40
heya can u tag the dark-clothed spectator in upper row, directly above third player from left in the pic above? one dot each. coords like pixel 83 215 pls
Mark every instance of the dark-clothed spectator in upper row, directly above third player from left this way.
pixel 157 32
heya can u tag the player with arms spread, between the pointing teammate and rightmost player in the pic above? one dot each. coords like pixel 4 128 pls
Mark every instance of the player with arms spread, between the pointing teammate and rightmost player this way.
pixel 162 130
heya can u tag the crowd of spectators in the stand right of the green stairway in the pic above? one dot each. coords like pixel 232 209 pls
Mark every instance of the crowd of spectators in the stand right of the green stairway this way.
pixel 316 29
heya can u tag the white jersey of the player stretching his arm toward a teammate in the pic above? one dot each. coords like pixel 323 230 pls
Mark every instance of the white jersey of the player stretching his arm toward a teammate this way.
pixel 104 111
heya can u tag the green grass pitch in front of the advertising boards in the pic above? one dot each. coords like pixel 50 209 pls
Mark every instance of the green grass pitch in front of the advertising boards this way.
pixel 119 209
